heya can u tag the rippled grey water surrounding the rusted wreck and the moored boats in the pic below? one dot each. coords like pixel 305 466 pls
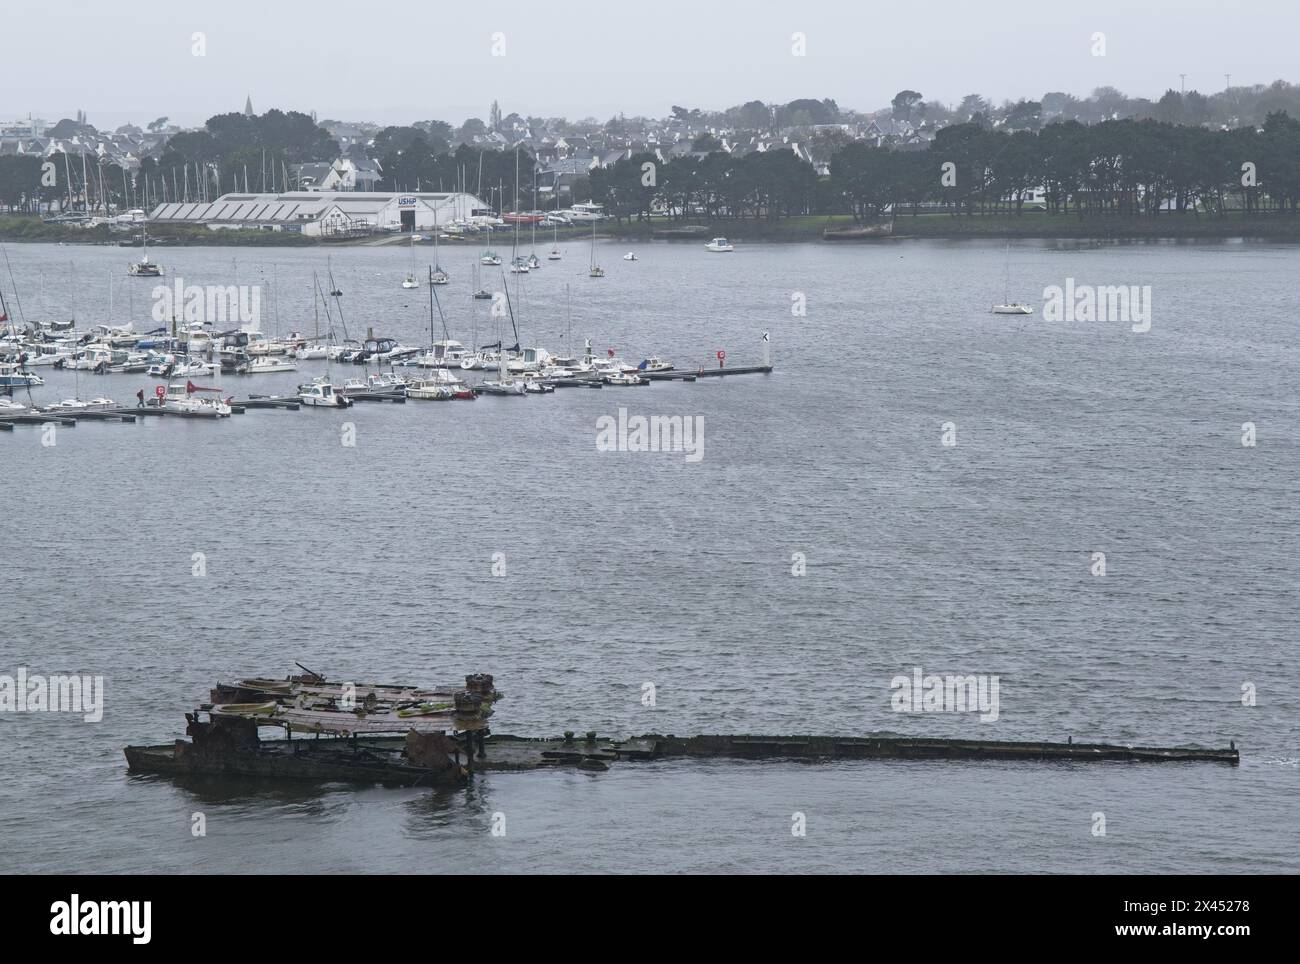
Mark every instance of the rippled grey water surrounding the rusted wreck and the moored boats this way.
pixel 632 568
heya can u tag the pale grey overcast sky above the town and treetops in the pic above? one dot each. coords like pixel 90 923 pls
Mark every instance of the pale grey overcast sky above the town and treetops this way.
pixel 396 63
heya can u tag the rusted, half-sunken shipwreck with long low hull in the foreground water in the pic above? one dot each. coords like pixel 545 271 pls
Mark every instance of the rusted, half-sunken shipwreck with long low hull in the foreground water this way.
pixel 405 736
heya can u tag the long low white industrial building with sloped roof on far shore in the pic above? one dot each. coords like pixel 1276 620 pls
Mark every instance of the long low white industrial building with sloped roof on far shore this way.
pixel 322 214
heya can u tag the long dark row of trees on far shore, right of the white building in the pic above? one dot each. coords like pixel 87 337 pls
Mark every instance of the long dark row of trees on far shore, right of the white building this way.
pixel 1116 168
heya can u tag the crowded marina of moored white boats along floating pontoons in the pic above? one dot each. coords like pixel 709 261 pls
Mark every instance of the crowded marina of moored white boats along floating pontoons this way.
pixel 190 368
